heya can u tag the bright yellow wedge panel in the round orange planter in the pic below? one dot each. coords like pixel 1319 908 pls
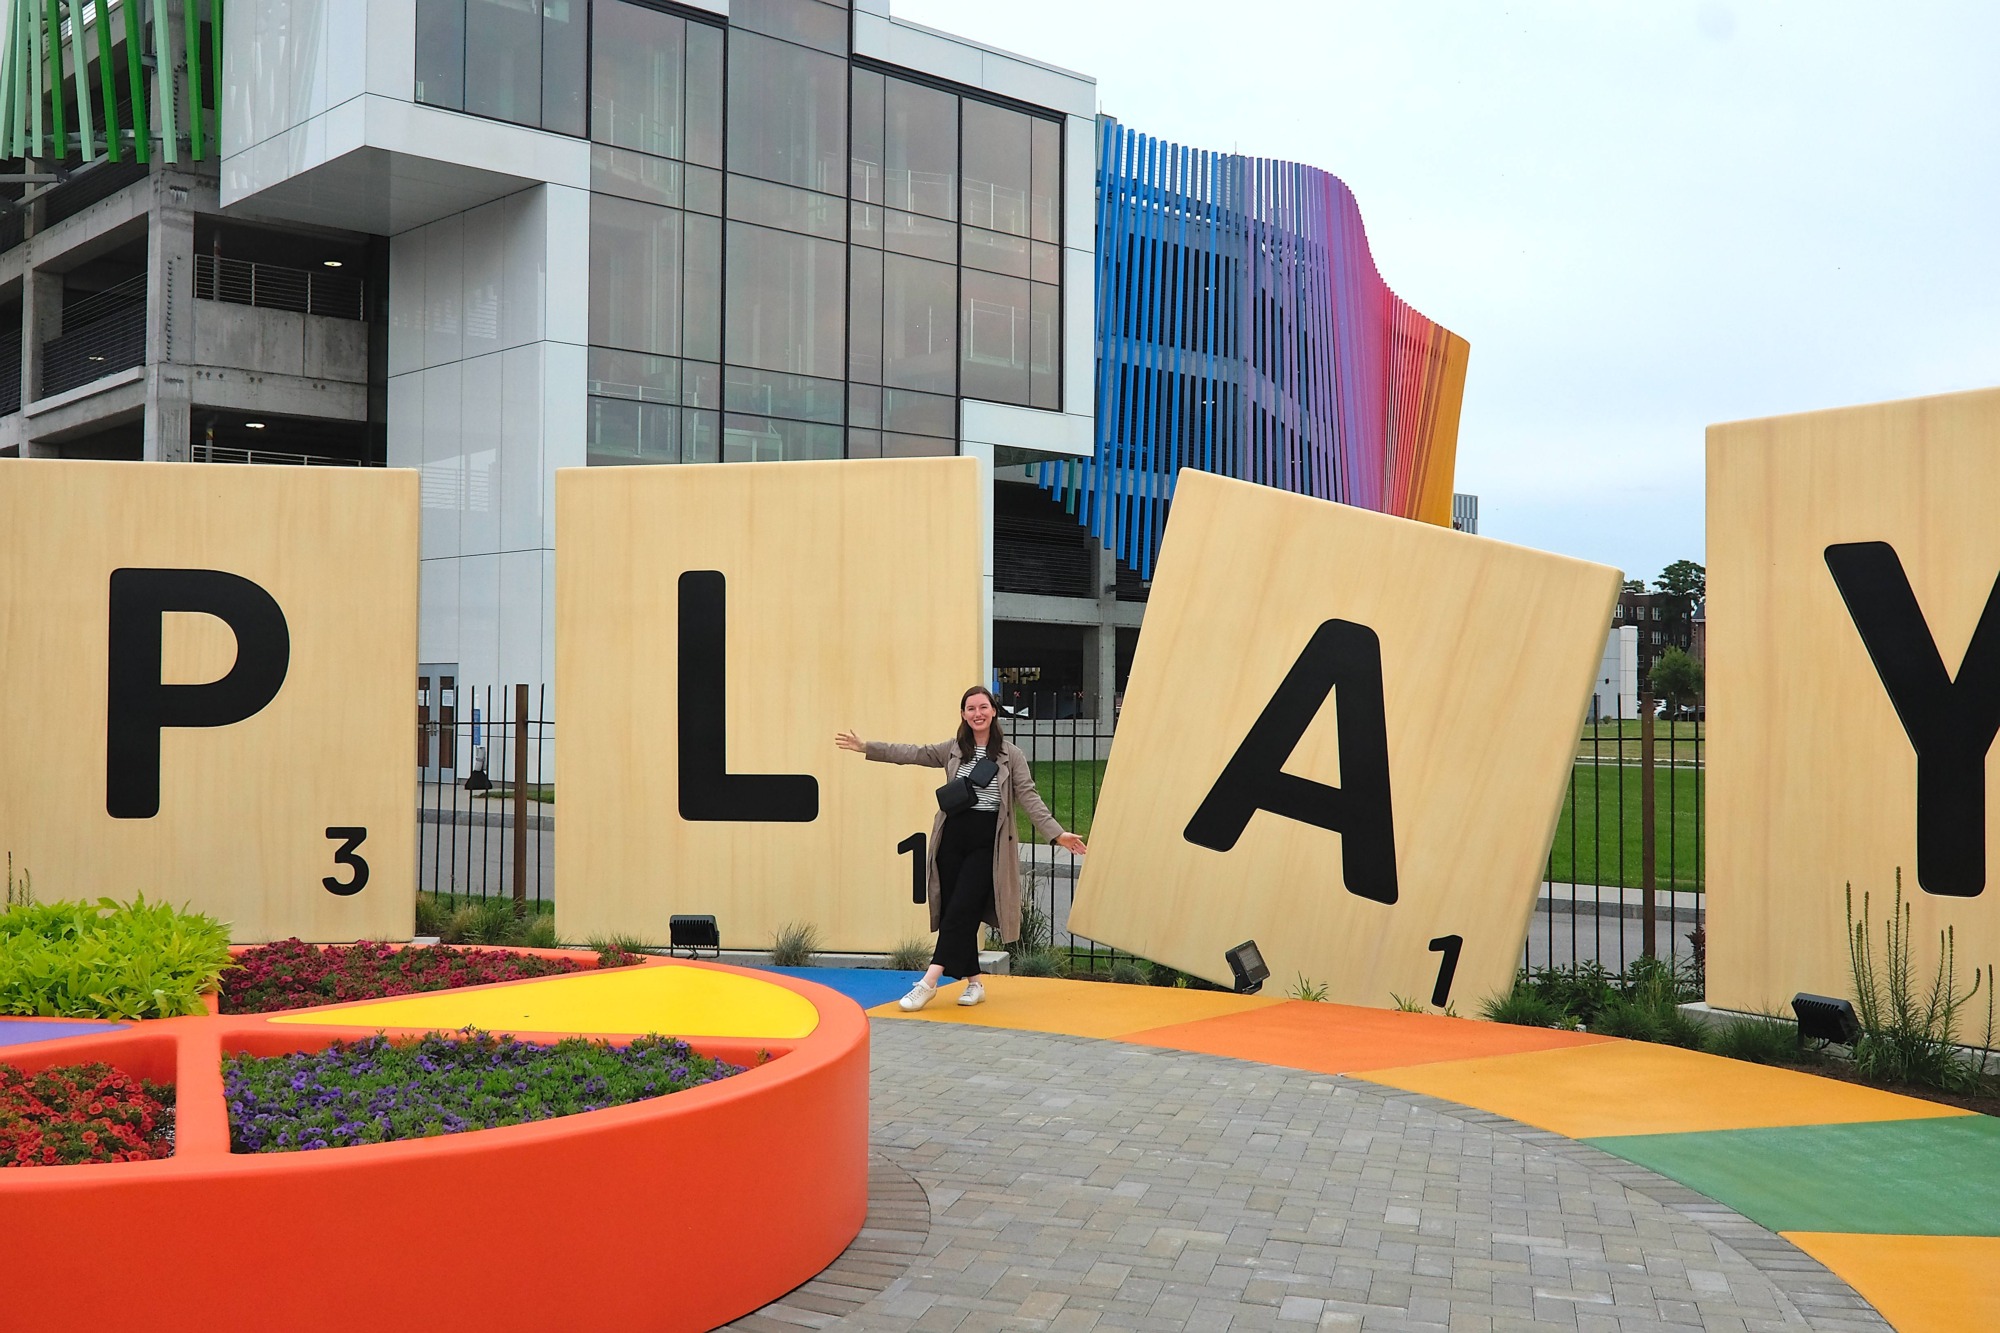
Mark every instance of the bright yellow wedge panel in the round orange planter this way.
pixel 675 1002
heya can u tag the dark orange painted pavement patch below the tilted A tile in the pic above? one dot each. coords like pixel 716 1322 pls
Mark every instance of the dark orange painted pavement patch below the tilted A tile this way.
pixel 1347 1038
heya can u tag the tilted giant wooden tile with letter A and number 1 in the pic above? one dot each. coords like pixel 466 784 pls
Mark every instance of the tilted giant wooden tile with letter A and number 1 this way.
pixel 1345 738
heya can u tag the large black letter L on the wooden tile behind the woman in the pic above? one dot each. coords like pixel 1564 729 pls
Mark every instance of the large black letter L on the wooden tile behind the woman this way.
pixel 709 792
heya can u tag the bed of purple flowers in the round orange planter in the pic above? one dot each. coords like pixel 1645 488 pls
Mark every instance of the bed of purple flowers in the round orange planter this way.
pixel 379 1092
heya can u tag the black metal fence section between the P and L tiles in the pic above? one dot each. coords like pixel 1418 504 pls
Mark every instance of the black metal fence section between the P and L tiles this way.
pixel 479 832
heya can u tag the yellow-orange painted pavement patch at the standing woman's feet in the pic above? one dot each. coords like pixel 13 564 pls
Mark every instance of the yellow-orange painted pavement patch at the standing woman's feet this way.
pixel 1077 1008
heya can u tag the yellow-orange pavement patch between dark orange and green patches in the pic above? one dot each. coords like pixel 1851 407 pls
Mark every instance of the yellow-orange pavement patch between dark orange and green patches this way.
pixel 1635 1088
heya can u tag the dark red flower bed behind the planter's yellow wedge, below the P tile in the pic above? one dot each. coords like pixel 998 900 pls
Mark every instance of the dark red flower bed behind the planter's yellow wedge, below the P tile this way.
pixel 297 976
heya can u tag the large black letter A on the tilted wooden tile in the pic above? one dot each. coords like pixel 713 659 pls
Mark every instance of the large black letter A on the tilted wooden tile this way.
pixel 1347 657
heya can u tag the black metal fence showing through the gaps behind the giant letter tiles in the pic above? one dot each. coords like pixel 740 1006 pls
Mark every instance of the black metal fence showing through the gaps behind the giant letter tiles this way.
pixel 1619 884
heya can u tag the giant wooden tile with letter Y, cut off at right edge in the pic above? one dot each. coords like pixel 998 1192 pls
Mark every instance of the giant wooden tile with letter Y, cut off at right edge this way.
pixel 1855 692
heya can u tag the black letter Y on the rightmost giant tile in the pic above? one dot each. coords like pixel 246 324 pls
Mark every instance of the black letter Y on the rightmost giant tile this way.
pixel 1951 724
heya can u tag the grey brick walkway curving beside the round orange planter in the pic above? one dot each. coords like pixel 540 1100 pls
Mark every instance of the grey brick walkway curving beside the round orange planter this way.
pixel 1085 1186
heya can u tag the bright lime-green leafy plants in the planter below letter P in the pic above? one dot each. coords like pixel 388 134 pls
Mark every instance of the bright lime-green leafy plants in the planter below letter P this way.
pixel 109 960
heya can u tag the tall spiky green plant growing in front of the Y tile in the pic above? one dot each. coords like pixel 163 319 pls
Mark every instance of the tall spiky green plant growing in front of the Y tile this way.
pixel 1911 1038
